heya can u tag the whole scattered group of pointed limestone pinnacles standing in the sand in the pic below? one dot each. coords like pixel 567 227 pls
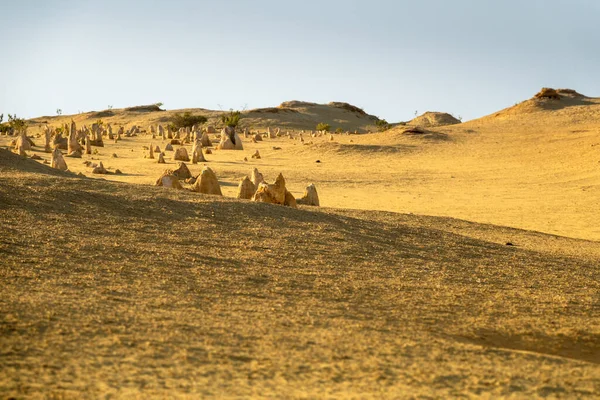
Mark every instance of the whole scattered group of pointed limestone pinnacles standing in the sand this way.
pixel 80 141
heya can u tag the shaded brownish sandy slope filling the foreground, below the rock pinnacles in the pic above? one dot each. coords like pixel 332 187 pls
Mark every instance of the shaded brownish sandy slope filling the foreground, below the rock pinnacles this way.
pixel 127 290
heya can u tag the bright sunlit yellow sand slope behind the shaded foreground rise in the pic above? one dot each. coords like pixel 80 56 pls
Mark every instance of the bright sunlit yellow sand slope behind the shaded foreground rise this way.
pixel 535 166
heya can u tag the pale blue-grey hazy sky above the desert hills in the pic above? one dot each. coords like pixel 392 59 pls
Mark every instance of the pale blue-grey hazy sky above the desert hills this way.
pixel 393 58
